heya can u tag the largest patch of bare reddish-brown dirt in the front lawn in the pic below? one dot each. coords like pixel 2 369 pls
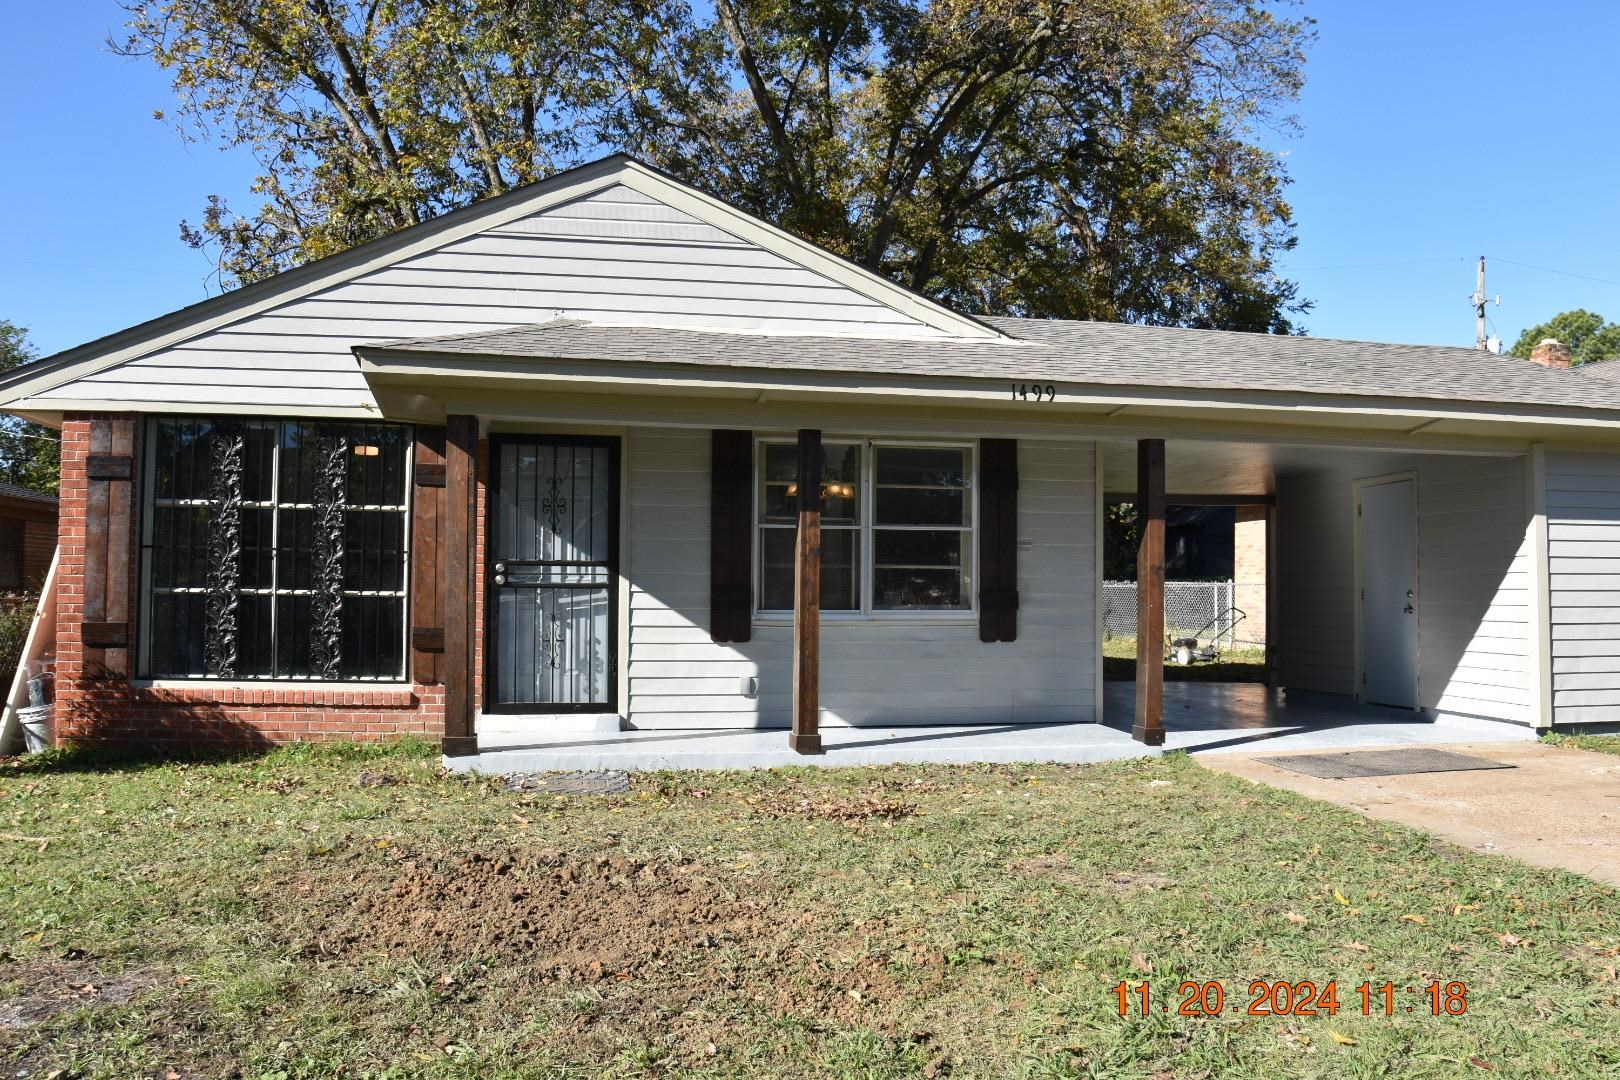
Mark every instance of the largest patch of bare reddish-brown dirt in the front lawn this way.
pixel 655 946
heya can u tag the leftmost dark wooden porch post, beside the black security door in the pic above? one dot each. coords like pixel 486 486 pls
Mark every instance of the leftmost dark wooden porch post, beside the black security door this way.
pixel 461 532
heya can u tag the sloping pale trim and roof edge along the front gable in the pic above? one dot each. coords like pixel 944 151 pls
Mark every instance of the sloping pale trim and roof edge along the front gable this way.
pixel 576 184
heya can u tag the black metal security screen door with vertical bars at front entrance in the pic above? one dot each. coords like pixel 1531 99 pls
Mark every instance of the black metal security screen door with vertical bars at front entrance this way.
pixel 553 563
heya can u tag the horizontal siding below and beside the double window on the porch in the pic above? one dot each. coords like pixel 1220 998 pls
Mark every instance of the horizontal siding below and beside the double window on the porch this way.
pixel 872 673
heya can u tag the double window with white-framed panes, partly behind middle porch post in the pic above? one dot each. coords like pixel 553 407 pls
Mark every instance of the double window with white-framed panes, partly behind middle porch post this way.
pixel 897 527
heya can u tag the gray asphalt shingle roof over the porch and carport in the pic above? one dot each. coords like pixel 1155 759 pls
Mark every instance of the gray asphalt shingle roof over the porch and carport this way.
pixel 1094 354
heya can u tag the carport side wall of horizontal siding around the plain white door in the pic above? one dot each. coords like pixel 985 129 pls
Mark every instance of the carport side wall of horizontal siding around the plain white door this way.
pixel 1473 582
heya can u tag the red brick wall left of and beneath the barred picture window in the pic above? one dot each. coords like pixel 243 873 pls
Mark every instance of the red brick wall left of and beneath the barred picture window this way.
pixel 106 705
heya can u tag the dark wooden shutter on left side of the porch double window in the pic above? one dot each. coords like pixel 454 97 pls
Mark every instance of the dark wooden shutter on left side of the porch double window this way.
pixel 731 535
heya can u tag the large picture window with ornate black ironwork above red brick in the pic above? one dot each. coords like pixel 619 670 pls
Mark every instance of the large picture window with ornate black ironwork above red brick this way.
pixel 276 550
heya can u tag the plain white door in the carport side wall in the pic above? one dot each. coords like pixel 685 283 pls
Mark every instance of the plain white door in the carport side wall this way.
pixel 1389 593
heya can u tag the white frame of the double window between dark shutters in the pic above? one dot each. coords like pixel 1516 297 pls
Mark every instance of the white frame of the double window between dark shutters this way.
pixel 866 529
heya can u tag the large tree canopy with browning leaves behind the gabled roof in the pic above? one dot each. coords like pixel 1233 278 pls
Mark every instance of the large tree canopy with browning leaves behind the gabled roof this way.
pixel 1085 159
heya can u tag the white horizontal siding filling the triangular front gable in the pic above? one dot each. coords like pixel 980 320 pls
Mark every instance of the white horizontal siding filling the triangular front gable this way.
pixel 618 257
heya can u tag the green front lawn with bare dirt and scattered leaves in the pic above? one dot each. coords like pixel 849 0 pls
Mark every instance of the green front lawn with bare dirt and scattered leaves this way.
pixel 359 914
